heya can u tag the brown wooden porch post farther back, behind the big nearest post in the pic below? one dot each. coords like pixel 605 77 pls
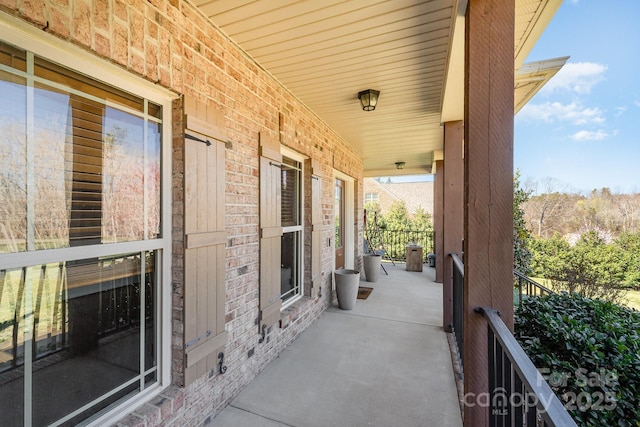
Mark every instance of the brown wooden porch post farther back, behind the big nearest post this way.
pixel 453 212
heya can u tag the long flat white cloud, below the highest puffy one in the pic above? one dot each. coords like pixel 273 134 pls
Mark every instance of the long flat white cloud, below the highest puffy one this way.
pixel 550 112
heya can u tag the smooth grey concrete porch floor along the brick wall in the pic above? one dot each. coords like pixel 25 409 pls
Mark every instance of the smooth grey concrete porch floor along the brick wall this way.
pixel 384 363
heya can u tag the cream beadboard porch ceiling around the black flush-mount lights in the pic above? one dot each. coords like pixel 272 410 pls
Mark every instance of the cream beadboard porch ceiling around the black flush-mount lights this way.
pixel 325 52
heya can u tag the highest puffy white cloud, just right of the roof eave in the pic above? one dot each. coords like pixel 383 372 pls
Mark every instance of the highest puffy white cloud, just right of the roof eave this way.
pixel 579 77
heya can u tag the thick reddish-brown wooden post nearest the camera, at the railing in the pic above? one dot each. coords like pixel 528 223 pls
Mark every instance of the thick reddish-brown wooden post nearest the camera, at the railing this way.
pixel 488 162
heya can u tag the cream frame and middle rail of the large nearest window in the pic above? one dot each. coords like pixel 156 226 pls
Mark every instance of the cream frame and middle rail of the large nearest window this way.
pixel 29 38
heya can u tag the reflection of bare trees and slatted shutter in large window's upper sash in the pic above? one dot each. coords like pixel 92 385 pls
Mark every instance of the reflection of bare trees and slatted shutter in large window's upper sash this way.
pixel 86 172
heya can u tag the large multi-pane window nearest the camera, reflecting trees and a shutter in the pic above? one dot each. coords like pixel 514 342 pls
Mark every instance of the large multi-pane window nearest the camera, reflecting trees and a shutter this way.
pixel 81 242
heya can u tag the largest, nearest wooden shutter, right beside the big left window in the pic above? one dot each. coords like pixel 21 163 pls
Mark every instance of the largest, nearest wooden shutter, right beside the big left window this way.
pixel 205 237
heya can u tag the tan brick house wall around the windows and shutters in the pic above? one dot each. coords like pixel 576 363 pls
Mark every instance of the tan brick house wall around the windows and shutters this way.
pixel 170 43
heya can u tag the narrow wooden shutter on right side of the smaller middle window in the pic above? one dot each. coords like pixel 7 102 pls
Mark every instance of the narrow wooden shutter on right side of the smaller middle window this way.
pixel 316 228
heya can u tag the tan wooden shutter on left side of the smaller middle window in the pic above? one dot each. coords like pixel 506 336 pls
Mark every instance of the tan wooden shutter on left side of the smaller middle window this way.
pixel 270 230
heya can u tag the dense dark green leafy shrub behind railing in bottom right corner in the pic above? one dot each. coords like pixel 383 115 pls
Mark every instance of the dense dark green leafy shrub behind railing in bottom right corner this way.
pixel 589 351
